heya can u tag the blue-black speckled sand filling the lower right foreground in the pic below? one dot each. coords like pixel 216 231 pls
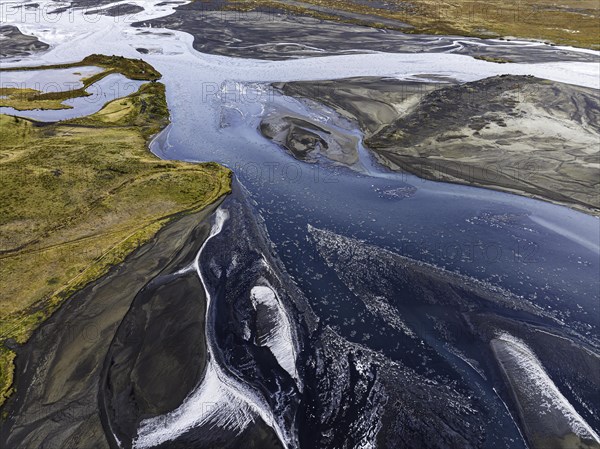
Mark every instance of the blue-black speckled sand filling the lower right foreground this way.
pixel 426 373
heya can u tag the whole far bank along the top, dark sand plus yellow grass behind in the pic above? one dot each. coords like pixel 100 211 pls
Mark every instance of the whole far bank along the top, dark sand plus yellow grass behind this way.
pixel 304 27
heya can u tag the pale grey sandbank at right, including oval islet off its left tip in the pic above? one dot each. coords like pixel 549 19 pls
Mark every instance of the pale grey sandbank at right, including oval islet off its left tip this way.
pixel 511 133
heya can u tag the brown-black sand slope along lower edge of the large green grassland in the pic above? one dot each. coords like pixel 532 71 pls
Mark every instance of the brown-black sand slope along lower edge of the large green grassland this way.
pixel 60 369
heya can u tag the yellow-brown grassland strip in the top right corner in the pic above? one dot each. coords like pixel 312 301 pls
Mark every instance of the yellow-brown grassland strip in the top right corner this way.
pixel 572 23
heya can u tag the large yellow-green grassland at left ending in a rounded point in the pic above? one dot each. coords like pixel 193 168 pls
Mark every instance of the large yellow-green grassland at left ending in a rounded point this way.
pixel 78 197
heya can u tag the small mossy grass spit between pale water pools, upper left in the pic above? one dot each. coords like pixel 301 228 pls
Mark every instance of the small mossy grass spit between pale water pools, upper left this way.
pixel 27 99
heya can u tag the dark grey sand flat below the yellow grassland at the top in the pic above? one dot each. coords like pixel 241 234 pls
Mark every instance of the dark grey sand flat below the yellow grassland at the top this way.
pixel 276 35
